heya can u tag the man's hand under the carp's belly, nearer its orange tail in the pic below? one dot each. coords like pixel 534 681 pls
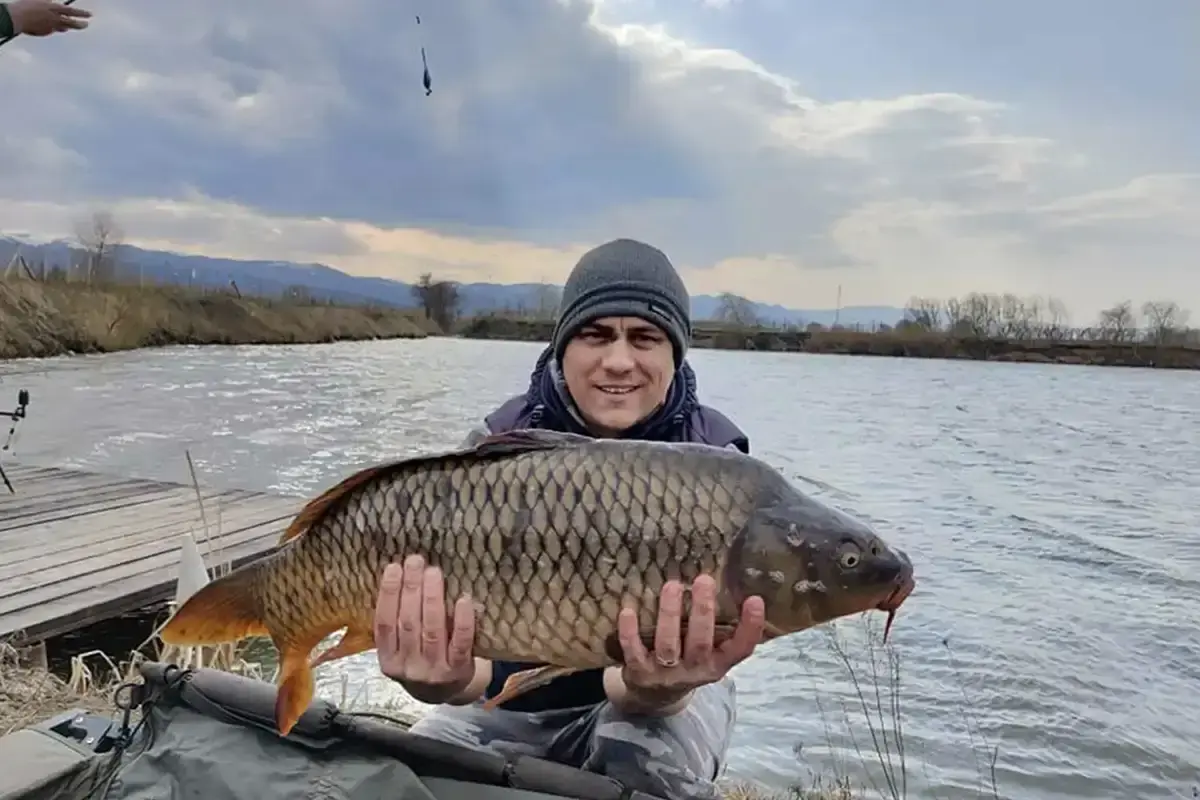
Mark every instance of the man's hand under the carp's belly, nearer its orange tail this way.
pixel 411 636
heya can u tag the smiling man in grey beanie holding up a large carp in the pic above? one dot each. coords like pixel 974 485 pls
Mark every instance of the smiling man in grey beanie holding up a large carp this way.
pixel 616 369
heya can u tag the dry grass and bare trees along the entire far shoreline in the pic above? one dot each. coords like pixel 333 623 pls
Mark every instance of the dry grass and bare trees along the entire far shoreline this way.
pixel 101 309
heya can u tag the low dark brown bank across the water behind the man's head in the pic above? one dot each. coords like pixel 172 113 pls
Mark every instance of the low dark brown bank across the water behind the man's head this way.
pixel 887 342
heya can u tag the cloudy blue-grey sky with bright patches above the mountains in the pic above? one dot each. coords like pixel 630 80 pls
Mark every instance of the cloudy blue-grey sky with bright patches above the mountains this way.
pixel 777 149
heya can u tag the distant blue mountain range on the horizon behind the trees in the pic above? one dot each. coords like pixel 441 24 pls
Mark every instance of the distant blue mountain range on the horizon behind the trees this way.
pixel 326 282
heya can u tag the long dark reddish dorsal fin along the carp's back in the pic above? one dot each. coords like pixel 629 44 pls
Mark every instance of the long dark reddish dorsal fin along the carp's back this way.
pixel 496 446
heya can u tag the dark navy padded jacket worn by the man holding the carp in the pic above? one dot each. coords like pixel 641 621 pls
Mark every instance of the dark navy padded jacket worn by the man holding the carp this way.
pixel 547 405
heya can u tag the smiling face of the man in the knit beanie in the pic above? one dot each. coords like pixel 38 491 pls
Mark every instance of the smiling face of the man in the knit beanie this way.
pixel 619 370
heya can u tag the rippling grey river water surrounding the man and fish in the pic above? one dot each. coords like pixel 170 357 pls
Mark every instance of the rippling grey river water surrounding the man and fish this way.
pixel 1051 513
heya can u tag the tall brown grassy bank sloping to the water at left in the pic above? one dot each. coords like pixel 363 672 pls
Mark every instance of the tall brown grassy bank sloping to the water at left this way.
pixel 40 320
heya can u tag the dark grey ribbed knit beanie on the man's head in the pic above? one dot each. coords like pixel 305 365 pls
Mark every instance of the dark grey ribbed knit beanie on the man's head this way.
pixel 626 279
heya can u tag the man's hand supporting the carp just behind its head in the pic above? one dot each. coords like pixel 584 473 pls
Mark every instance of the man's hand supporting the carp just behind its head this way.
pixel 662 683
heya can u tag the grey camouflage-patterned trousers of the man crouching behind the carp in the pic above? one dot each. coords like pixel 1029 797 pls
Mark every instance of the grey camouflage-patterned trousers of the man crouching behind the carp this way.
pixel 677 757
